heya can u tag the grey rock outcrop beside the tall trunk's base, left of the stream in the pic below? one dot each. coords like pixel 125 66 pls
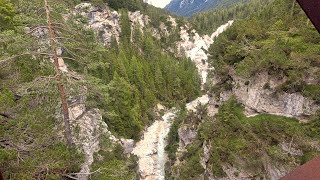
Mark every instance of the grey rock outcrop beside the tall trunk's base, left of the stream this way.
pixel 87 130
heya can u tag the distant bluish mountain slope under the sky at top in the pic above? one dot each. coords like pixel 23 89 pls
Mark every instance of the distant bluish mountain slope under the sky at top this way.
pixel 191 7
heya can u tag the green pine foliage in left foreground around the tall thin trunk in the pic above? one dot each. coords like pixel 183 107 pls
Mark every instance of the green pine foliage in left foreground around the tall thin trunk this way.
pixel 32 145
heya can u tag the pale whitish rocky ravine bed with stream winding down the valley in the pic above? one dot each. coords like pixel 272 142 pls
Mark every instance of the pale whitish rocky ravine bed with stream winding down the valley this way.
pixel 151 149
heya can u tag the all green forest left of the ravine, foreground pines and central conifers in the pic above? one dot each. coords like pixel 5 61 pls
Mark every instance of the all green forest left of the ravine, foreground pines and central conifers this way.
pixel 124 82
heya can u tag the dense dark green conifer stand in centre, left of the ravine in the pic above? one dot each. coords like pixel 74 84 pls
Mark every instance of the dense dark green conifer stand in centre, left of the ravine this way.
pixel 143 78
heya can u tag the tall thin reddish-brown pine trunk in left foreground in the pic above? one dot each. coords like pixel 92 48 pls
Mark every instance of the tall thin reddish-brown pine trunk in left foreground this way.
pixel 58 78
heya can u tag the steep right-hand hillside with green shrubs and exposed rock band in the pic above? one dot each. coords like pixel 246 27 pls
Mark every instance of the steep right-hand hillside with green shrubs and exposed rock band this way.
pixel 263 118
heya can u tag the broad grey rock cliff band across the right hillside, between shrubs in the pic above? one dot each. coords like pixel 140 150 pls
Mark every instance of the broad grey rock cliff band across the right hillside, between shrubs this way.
pixel 258 95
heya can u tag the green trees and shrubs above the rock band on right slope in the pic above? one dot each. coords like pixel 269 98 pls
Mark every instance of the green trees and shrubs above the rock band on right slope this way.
pixel 273 41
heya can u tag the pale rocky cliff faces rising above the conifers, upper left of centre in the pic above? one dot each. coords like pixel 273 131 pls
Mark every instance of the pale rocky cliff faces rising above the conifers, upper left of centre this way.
pixel 106 23
